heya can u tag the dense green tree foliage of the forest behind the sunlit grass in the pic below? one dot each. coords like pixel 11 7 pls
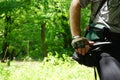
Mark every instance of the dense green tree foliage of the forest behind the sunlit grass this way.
pixel 24 26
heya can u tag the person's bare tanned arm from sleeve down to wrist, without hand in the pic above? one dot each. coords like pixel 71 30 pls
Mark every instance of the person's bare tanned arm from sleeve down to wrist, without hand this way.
pixel 75 18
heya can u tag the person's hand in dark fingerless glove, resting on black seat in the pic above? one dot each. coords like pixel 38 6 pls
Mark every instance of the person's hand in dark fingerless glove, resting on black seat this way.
pixel 81 45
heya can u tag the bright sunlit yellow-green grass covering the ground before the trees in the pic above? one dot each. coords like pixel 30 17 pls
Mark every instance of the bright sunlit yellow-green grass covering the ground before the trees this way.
pixel 50 69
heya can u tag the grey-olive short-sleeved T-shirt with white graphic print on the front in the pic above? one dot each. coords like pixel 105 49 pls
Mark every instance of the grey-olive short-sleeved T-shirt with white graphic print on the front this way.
pixel 109 14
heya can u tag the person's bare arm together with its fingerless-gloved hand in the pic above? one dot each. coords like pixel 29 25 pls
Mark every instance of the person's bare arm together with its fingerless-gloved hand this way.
pixel 80 44
